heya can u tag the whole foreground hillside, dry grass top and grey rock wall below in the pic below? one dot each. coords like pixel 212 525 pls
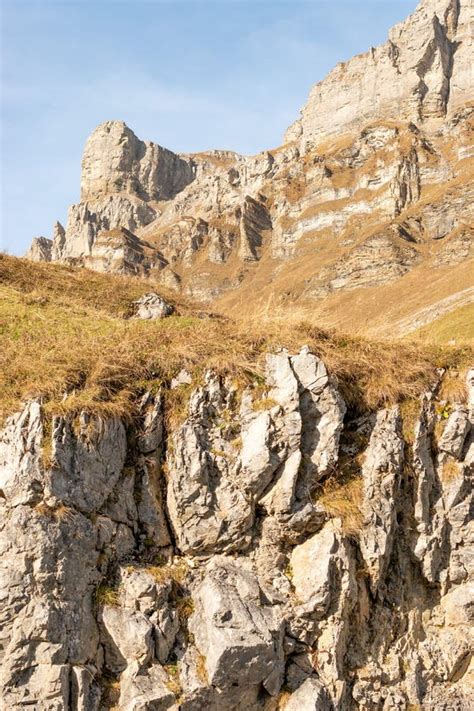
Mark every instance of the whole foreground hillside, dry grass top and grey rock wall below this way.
pixel 168 485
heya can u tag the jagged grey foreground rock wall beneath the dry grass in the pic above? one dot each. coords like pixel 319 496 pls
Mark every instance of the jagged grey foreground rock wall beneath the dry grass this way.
pixel 159 565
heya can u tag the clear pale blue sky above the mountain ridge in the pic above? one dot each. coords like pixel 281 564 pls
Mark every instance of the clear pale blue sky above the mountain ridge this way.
pixel 190 75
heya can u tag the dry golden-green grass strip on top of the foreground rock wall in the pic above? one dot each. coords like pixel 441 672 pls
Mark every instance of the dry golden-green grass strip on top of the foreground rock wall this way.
pixel 65 330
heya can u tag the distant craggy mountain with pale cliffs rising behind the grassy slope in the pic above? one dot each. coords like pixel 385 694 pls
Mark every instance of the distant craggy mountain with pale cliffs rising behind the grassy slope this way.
pixel 370 196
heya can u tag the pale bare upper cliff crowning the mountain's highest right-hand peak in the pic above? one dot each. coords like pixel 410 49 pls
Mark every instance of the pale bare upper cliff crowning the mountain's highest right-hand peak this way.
pixel 418 75
